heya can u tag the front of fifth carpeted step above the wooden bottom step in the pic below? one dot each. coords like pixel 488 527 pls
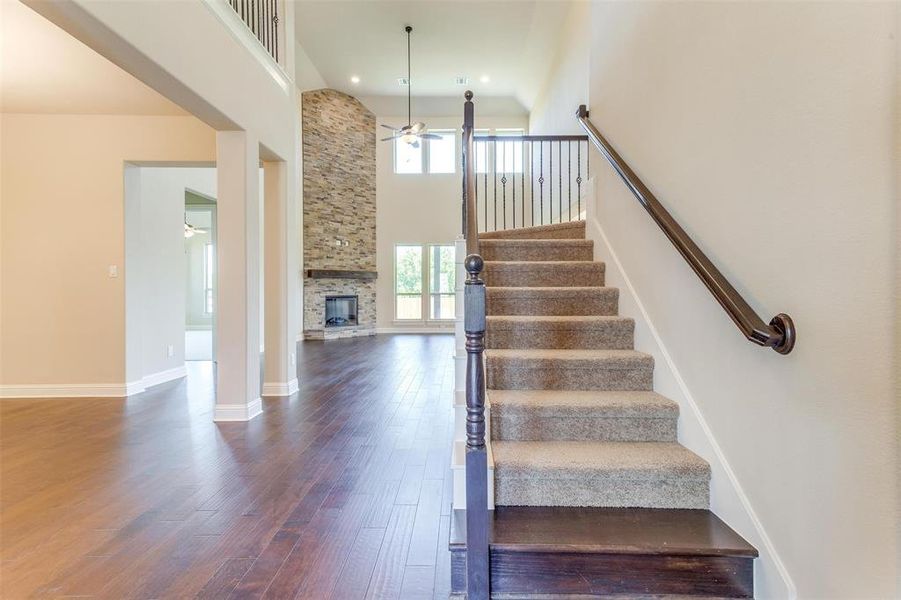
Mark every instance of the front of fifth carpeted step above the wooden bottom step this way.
pixel 552 301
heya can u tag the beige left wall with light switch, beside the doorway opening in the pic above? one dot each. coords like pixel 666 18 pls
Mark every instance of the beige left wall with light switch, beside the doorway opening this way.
pixel 62 184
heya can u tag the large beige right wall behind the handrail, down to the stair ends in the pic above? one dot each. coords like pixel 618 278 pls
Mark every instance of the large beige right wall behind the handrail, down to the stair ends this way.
pixel 767 129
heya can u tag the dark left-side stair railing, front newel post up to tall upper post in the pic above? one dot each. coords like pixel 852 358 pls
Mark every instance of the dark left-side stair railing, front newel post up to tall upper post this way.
pixel 477 580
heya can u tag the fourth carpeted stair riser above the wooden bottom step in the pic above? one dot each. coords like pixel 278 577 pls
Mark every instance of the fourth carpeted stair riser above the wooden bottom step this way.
pixel 615 335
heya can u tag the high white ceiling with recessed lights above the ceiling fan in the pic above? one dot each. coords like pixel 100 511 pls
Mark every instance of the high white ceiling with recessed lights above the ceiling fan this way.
pixel 512 42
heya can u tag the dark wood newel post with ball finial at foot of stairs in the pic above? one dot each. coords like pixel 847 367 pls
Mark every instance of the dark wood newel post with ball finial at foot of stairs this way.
pixel 476 453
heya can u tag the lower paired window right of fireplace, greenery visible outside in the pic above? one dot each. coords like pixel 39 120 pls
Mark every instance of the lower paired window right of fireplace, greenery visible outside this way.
pixel 419 268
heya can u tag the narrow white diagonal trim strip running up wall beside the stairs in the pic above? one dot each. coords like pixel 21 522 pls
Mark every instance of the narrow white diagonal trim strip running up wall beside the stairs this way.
pixel 696 413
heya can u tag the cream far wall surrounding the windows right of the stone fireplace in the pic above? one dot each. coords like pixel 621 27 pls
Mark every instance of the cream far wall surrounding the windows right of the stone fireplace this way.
pixel 417 209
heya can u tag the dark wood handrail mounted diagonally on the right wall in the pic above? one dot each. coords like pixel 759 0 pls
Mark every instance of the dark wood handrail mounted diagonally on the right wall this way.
pixel 779 335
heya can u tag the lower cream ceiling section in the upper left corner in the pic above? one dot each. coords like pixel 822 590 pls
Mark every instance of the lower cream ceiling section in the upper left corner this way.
pixel 43 69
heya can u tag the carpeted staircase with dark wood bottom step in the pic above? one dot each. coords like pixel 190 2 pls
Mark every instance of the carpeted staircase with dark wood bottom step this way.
pixel 594 495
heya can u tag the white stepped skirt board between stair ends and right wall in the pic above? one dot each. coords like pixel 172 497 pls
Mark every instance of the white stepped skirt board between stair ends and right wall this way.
pixel 727 498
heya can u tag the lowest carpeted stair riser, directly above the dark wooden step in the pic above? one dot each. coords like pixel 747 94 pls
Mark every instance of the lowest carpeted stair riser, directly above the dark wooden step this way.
pixel 671 492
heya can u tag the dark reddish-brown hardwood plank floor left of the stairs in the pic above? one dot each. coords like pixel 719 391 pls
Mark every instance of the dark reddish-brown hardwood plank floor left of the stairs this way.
pixel 341 491
